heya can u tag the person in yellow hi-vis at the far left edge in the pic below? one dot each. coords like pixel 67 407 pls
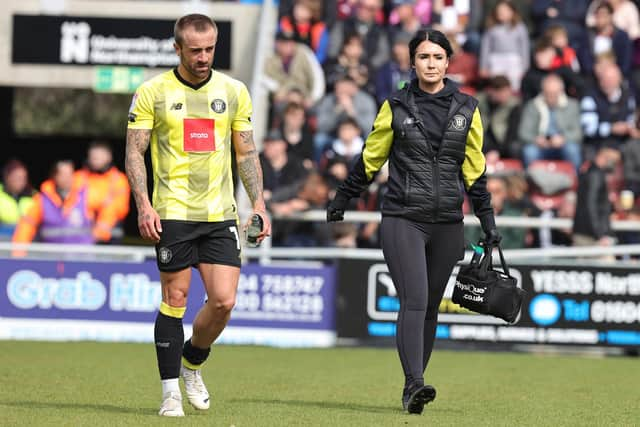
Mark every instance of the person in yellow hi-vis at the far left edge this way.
pixel 16 197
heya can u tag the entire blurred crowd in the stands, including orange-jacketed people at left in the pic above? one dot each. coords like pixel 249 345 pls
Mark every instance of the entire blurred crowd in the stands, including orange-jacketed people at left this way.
pixel 557 82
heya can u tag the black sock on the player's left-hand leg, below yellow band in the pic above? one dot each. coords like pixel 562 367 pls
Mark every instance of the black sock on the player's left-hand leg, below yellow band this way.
pixel 168 334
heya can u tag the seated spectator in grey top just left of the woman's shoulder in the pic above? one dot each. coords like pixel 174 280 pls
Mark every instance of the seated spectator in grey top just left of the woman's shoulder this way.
pixel 345 101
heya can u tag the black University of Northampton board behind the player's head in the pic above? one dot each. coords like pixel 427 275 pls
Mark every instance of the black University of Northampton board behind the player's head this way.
pixel 78 40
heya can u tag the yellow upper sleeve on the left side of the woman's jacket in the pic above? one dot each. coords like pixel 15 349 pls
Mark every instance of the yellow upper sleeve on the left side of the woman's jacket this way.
pixel 378 145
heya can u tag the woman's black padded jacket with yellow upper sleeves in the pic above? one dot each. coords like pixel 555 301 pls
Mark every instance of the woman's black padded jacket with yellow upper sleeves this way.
pixel 434 155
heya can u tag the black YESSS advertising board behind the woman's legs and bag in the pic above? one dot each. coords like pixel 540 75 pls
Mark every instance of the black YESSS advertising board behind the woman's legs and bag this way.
pixel 572 305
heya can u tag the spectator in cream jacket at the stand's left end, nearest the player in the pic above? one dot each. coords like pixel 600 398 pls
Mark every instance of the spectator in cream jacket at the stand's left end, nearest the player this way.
pixel 288 68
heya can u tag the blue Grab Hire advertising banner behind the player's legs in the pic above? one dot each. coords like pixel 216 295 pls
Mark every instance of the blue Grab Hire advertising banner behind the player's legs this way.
pixel 291 298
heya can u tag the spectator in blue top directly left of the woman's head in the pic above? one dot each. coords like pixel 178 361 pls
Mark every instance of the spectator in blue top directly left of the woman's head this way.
pixel 394 74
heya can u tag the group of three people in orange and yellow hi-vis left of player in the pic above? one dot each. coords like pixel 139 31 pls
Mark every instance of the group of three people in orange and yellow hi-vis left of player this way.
pixel 86 205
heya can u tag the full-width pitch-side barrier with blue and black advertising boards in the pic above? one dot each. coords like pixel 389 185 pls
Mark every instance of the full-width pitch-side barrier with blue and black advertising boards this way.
pixel 321 296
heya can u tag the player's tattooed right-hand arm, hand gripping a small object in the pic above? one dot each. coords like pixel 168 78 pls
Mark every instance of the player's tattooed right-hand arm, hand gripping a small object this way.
pixel 250 173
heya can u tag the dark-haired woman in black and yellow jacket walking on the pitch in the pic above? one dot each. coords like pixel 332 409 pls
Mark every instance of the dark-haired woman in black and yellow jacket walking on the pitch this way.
pixel 431 134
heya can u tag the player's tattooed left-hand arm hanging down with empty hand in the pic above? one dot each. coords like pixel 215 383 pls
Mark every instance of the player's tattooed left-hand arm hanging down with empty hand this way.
pixel 148 219
